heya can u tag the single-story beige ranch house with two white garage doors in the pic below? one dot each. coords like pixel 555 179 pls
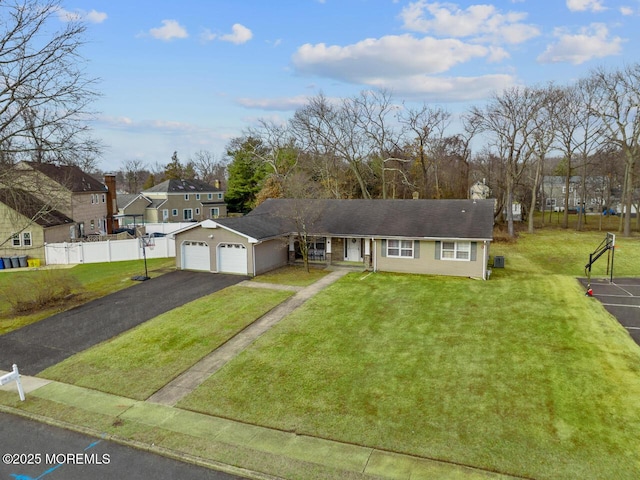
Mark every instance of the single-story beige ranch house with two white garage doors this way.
pixel 438 237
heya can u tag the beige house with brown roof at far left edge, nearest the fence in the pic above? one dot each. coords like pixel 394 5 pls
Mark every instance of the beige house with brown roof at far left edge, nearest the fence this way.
pixel 26 224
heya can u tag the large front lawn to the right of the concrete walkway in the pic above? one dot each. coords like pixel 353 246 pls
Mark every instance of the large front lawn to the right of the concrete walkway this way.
pixel 521 375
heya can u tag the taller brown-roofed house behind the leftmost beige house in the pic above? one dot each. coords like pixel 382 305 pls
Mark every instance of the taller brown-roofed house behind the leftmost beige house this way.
pixel 70 191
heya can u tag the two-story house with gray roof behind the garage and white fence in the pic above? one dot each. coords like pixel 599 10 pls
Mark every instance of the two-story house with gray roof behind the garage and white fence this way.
pixel 175 201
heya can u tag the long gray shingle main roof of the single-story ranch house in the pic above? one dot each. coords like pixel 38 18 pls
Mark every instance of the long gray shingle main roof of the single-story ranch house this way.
pixel 380 218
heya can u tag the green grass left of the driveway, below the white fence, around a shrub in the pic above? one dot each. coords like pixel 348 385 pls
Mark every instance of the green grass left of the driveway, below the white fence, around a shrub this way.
pixel 93 281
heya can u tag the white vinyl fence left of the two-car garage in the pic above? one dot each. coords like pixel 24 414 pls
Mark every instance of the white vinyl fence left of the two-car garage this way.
pixel 107 251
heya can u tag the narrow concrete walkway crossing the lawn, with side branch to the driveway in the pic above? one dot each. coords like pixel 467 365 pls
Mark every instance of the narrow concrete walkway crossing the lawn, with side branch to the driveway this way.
pixel 185 383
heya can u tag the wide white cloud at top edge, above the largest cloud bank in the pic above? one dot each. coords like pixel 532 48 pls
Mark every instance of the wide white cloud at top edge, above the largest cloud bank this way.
pixel 482 22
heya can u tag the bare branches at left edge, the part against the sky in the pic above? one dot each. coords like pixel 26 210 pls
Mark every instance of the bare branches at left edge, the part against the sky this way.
pixel 44 91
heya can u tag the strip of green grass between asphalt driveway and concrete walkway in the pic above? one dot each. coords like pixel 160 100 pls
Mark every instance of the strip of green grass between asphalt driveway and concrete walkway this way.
pixel 139 362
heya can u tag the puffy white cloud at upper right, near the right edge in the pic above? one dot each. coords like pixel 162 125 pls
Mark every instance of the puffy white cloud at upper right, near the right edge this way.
pixel 591 42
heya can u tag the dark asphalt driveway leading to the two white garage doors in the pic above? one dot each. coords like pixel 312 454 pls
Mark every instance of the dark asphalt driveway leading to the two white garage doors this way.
pixel 43 344
